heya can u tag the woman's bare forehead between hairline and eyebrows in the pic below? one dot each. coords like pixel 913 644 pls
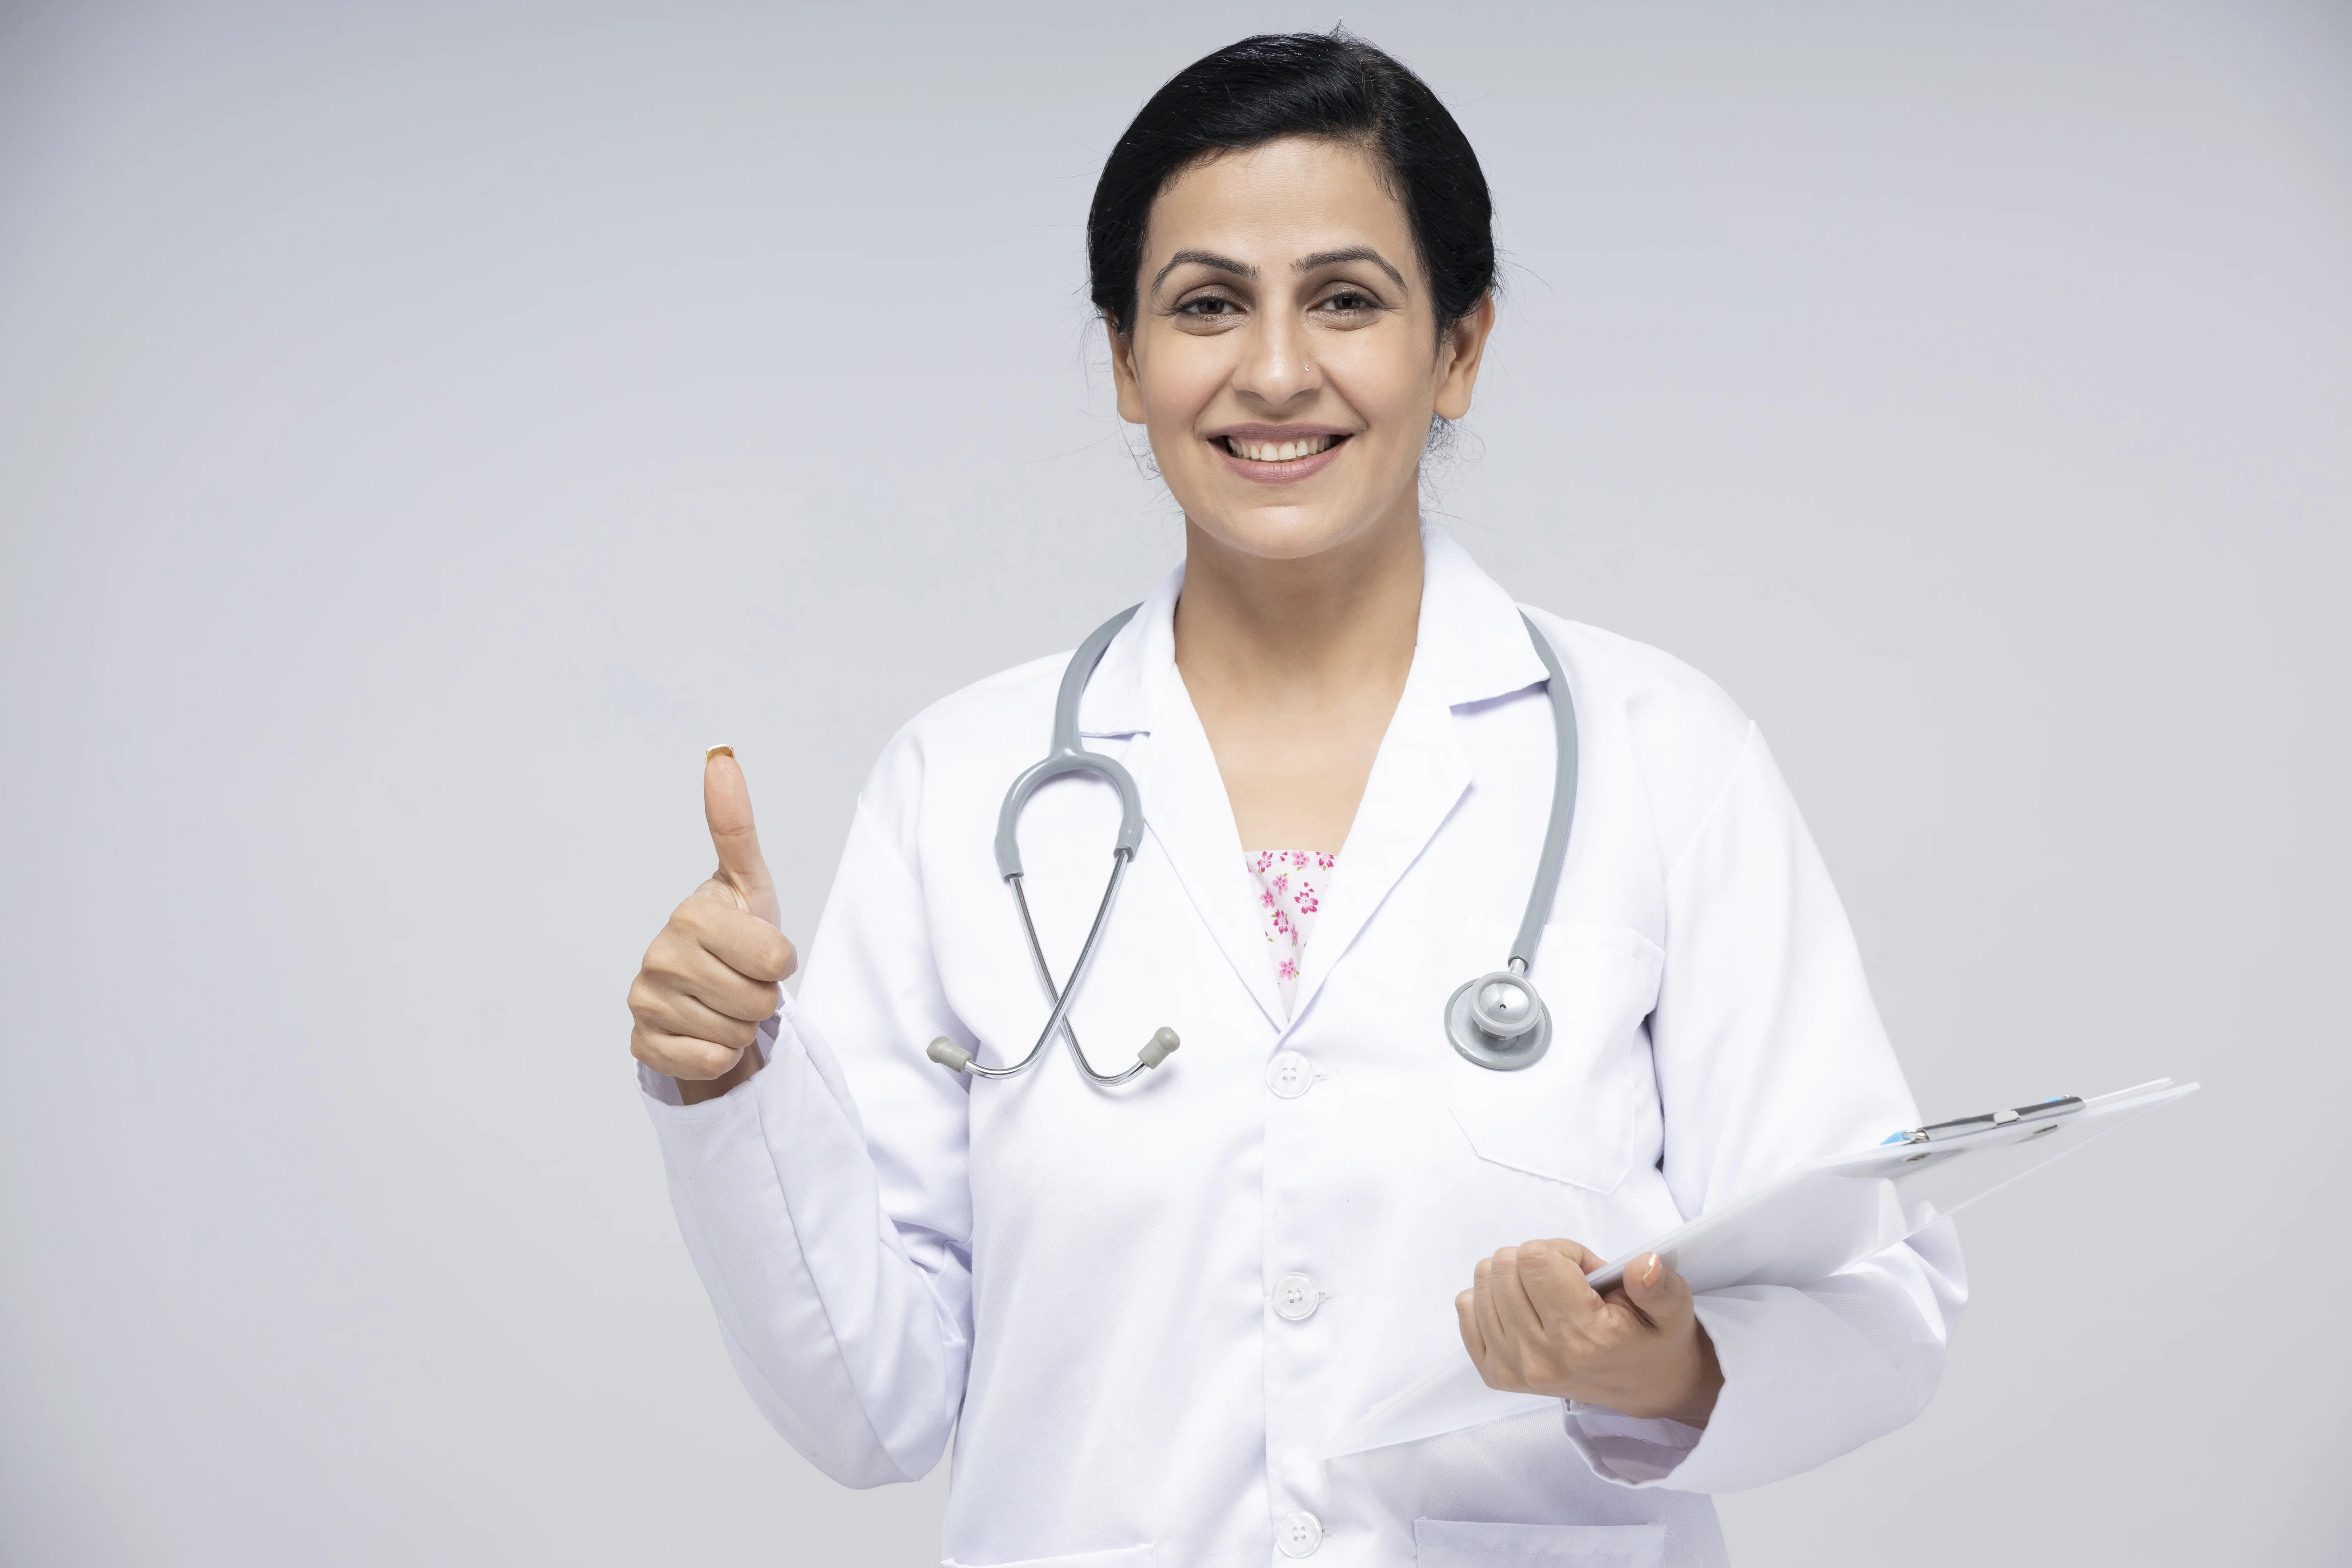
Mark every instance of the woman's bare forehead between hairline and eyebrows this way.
pixel 1281 201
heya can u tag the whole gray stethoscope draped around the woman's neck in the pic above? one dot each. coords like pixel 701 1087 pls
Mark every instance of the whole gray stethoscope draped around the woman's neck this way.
pixel 1495 1021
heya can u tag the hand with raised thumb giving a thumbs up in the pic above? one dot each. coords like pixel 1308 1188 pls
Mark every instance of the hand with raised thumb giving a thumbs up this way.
pixel 714 974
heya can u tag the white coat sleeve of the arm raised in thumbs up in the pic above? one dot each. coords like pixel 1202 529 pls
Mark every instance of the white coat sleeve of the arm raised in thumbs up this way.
pixel 836 1261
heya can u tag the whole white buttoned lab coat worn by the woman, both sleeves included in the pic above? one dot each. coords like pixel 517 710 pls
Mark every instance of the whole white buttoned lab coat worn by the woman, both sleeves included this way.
pixel 1083 1282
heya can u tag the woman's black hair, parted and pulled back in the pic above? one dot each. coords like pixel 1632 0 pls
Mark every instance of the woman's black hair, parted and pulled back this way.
pixel 1299 86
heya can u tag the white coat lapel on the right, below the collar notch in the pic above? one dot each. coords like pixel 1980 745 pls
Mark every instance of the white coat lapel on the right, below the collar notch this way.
pixel 1417 779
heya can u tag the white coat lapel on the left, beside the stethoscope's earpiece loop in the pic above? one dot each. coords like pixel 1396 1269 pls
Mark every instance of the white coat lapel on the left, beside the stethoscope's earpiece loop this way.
pixel 1191 817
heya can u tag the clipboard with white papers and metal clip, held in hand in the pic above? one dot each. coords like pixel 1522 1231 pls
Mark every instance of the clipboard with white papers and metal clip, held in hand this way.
pixel 1798 1228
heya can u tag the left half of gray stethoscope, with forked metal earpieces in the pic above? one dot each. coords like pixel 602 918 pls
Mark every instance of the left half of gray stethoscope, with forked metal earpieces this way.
pixel 1069 758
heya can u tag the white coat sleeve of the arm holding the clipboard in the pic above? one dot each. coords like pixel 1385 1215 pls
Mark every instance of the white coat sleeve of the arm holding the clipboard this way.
pixel 1770 1054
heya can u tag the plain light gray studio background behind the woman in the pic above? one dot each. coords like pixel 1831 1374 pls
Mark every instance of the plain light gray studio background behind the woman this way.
pixel 425 429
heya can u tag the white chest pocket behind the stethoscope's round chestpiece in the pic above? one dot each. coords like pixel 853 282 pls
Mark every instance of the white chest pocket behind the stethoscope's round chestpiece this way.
pixel 1591 1104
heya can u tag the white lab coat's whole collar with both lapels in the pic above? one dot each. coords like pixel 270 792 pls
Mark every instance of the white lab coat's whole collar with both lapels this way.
pixel 1469 648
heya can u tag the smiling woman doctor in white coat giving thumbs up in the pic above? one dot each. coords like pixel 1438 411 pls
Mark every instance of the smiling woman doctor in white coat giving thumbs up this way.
pixel 1149 1306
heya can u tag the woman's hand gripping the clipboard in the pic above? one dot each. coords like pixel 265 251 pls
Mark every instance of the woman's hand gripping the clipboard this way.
pixel 1535 1327
